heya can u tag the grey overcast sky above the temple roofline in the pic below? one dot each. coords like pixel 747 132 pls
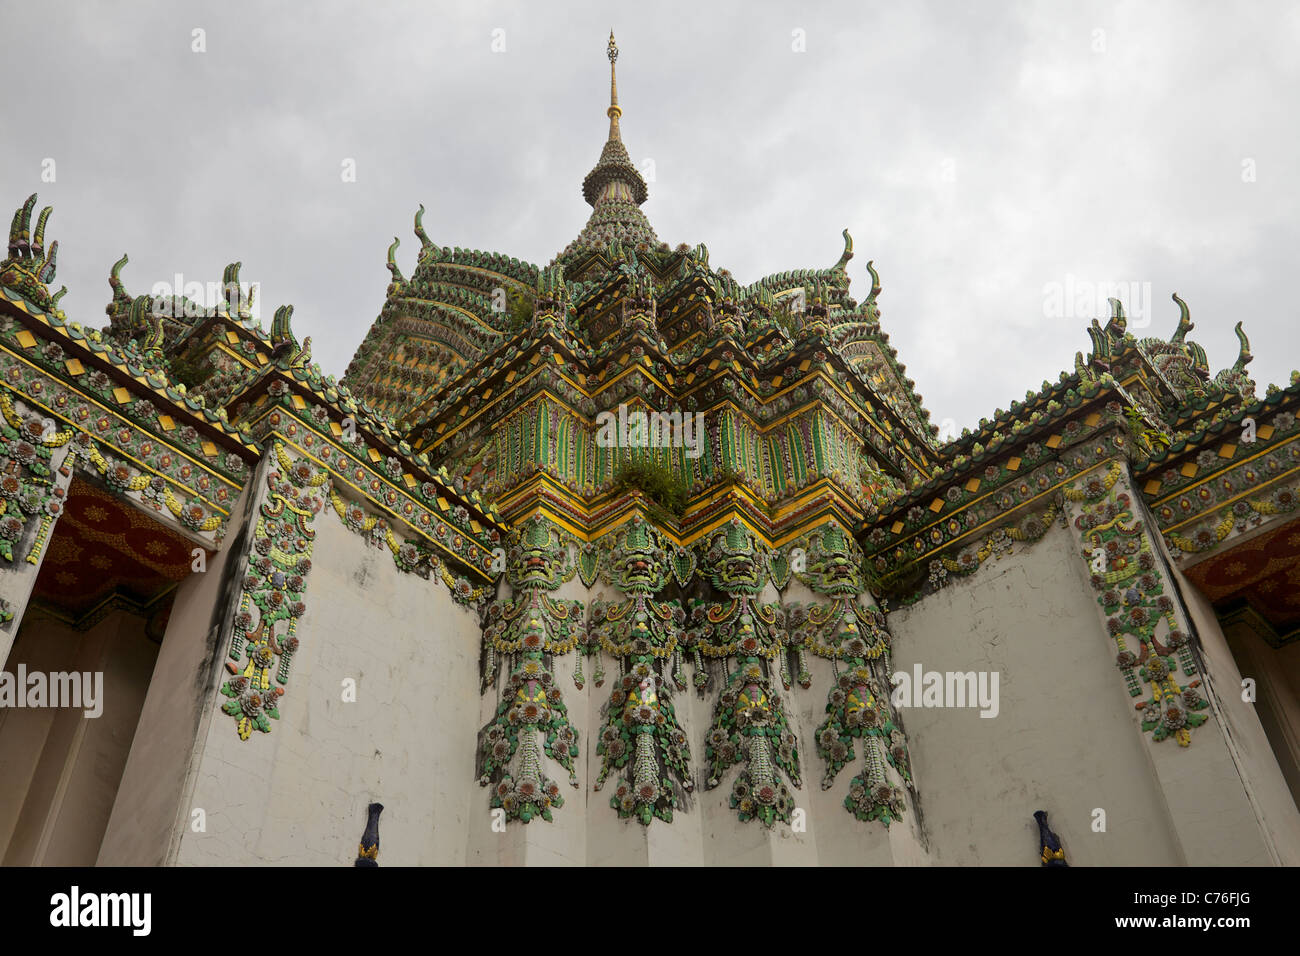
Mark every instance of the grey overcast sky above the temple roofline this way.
pixel 1003 163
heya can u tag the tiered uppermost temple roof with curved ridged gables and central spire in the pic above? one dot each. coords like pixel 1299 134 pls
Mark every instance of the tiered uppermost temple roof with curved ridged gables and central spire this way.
pixel 460 308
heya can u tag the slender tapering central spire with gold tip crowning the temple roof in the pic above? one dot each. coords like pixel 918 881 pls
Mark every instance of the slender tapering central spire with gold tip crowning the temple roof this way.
pixel 614 189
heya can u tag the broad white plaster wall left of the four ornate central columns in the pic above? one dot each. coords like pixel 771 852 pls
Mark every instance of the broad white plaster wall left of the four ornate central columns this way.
pixel 300 794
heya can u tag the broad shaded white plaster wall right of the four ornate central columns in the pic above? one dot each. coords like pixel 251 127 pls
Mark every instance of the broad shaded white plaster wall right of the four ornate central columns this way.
pixel 1067 739
